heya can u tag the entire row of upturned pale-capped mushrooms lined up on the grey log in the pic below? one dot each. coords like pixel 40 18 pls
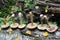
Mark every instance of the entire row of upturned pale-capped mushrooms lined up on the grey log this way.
pixel 32 25
